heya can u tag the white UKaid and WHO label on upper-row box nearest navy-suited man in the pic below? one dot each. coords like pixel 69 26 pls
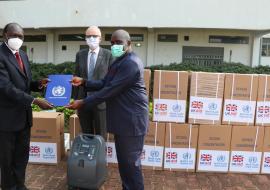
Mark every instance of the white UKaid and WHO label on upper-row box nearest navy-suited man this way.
pixel 169 110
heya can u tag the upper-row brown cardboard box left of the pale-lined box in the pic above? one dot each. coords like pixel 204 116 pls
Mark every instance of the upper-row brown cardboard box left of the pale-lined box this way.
pixel 170 95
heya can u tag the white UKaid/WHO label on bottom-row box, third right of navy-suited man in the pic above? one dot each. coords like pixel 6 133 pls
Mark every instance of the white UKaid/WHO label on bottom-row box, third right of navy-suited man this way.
pixel 213 160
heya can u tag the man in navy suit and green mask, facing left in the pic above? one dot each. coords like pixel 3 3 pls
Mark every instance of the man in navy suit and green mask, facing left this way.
pixel 124 92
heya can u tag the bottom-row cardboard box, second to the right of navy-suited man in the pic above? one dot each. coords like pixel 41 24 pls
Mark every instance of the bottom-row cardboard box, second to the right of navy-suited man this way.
pixel 180 147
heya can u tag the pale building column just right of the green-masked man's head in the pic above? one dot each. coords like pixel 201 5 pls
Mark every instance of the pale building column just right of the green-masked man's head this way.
pixel 150 53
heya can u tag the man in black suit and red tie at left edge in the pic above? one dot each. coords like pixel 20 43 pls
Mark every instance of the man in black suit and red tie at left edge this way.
pixel 15 108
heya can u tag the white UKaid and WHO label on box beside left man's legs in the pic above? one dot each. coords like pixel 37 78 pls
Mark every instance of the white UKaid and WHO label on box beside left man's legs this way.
pixel 41 152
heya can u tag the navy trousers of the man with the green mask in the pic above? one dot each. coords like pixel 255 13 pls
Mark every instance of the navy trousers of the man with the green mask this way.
pixel 128 150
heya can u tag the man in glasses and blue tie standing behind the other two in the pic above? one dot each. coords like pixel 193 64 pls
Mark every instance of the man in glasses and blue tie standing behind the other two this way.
pixel 92 63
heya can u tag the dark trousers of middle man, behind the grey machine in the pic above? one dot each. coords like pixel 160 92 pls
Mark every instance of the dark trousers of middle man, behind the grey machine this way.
pixel 93 122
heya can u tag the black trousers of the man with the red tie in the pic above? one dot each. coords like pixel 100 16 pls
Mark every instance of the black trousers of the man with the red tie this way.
pixel 14 157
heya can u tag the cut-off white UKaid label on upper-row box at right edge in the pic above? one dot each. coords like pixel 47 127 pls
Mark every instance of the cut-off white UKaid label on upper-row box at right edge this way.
pixel 263 112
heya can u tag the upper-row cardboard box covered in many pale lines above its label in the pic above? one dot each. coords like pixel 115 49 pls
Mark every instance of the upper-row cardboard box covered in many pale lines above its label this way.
pixel 206 96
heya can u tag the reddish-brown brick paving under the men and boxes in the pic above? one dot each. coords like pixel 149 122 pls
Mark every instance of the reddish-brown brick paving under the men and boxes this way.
pixel 44 177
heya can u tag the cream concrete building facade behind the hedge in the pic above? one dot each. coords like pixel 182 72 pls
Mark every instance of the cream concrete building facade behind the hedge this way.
pixel 200 31
